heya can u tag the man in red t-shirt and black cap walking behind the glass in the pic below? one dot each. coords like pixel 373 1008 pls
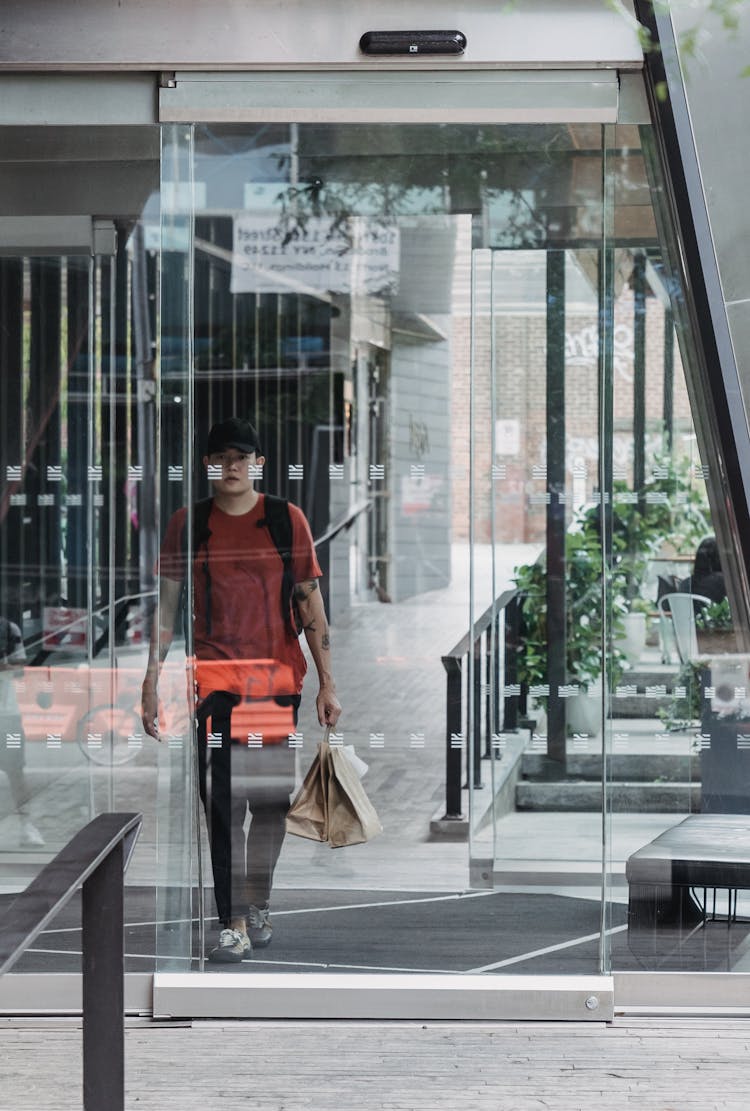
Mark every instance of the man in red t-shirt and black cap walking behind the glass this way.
pixel 255 578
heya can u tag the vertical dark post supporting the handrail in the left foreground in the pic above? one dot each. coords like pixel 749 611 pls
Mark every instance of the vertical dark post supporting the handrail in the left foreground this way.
pixel 104 986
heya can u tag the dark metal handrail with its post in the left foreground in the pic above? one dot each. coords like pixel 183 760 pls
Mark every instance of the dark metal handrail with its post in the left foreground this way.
pixel 95 860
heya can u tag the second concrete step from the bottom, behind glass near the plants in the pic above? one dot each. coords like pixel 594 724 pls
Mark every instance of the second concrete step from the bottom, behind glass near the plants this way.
pixel 622 767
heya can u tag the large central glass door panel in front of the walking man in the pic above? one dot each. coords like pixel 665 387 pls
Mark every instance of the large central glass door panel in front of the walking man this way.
pixel 401 313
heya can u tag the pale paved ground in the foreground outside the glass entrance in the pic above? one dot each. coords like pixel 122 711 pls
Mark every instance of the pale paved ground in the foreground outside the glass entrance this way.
pixel 654 1065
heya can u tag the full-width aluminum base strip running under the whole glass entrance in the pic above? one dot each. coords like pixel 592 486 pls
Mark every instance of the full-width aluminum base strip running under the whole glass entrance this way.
pixel 297 996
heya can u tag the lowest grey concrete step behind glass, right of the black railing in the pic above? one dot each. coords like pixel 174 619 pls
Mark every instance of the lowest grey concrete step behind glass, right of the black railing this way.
pixel 624 798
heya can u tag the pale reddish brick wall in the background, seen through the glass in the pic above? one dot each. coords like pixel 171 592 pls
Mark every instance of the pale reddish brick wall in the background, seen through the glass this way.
pixel 521 344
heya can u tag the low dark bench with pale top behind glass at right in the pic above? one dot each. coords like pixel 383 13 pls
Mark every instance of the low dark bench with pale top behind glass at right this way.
pixel 671 880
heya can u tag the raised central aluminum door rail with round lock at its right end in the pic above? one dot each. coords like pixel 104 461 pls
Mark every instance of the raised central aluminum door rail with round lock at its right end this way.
pixel 365 996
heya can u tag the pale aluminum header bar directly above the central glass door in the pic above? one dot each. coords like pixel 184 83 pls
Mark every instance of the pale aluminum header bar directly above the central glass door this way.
pixel 428 97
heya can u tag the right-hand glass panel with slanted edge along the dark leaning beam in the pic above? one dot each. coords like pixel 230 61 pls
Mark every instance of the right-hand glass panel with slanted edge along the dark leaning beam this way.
pixel 678 726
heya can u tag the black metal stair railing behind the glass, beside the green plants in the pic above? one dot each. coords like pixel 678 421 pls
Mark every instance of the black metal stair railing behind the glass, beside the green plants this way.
pixel 484 640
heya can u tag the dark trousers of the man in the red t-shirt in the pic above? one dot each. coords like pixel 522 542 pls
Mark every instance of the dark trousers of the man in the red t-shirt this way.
pixel 234 779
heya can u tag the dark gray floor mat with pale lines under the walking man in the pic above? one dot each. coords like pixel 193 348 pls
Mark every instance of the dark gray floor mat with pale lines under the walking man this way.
pixel 346 932
